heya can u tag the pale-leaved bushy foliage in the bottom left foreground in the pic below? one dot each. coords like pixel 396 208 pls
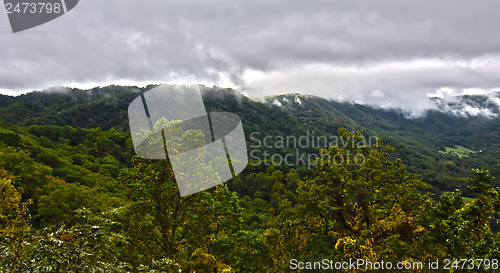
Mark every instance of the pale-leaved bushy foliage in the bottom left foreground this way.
pixel 91 244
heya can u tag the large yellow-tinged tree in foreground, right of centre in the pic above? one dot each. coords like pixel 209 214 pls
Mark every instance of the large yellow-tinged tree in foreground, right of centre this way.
pixel 360 204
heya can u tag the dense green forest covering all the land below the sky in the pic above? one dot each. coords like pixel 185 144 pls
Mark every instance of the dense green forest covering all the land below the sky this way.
pixel 75 198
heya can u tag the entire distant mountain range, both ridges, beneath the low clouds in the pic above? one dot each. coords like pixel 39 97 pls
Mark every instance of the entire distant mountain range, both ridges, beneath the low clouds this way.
pixel 442 146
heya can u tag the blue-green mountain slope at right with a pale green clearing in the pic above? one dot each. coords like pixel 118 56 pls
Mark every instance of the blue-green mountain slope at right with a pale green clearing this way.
pixel 427 145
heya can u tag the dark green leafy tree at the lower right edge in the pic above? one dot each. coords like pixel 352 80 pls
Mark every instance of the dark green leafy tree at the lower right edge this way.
pixel 460 229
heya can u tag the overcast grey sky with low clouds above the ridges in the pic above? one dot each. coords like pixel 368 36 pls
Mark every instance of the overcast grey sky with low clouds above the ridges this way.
pixel 386 53
